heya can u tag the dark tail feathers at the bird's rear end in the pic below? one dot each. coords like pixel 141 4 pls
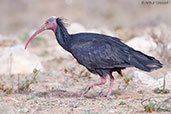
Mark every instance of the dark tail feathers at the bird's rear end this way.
pixel 144 62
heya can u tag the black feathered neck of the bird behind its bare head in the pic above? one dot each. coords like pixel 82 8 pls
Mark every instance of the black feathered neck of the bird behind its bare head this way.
pixel 62 36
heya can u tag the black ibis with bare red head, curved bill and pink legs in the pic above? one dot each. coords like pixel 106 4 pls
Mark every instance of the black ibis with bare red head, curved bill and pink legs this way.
pixel 100 54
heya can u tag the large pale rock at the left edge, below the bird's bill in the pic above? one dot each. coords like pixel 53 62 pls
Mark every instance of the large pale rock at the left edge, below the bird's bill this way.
pixel 17 60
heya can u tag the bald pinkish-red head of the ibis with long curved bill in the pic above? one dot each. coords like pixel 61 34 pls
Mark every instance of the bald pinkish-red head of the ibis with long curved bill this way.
pixel 50 24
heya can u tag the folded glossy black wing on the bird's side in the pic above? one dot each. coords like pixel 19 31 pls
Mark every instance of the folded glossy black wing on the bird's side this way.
pixel 100 53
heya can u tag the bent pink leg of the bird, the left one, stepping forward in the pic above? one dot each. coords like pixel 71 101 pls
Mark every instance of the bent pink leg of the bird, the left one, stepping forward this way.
pixel 103 81
